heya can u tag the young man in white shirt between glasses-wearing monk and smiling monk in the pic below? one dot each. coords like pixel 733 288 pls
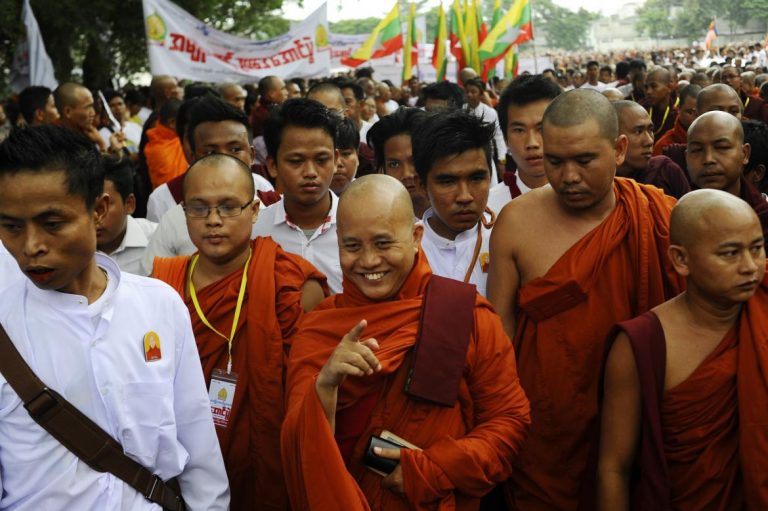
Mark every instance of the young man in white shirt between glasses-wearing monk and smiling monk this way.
pixel 302 157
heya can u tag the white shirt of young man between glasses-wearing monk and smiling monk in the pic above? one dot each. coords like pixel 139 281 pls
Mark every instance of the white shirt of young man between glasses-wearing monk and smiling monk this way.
pixel 321 249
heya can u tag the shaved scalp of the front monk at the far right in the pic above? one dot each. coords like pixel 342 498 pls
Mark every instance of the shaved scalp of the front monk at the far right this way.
pixel 696 212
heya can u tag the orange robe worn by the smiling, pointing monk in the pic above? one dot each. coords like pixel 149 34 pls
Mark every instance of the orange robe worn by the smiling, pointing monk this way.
pixel 467 449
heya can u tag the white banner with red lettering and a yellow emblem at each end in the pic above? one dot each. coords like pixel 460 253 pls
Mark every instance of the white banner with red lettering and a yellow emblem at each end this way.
pixel 183 46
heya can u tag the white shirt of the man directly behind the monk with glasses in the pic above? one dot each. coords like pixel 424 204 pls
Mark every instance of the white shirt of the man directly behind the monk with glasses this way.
pixel 171 238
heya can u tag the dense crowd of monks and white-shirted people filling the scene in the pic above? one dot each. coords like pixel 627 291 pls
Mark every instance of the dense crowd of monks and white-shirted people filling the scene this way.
pixel 540 293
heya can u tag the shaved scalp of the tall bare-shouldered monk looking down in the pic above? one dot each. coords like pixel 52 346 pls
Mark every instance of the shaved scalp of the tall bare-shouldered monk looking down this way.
pixel 577 107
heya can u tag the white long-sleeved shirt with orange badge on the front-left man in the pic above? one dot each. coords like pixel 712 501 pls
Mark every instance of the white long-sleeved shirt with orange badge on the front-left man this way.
pixel 93 355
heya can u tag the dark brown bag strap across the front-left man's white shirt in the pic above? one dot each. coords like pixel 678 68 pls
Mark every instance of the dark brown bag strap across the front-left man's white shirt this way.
pixel 84 438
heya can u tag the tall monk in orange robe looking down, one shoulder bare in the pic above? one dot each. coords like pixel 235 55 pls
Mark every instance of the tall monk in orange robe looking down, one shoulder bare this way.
pixel 591 255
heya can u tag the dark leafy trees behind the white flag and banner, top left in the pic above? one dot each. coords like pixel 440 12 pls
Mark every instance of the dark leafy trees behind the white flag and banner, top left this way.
pixel 105 38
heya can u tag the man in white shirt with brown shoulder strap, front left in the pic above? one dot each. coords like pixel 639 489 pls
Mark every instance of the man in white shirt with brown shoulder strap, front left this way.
pixel 86 329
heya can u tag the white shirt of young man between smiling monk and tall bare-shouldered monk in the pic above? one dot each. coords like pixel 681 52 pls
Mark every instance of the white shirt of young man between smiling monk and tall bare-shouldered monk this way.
pixel 451 258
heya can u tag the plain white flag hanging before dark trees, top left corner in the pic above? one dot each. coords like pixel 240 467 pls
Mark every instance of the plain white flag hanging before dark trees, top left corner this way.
pixel 32 65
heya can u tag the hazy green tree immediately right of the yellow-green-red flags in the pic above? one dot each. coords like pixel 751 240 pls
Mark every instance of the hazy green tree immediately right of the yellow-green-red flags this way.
pixel 565 28
